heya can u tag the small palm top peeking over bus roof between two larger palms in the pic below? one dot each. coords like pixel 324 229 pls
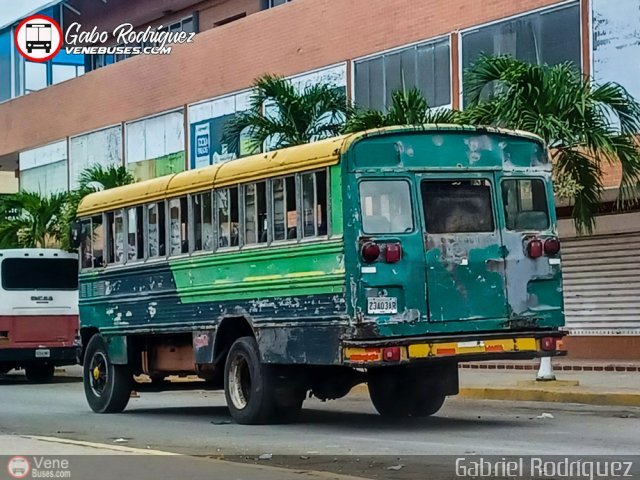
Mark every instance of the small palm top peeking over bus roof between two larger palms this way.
pixel 408 107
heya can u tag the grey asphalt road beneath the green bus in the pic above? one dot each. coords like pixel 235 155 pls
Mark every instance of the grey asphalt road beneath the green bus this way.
pixel 344 436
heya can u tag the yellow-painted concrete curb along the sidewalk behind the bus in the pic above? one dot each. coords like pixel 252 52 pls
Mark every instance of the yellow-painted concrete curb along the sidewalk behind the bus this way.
pixel 548 394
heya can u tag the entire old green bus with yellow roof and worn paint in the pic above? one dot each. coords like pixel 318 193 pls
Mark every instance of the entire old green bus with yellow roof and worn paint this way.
pixel 385 257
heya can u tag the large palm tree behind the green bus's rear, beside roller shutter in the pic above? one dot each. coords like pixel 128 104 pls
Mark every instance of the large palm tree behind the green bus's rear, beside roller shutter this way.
pixel 585 124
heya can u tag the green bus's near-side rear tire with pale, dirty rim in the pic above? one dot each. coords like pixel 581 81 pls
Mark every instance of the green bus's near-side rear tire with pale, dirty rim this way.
pixel 249 385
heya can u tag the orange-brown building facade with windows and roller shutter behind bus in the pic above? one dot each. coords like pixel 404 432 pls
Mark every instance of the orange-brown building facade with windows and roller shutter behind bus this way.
pixel 159 114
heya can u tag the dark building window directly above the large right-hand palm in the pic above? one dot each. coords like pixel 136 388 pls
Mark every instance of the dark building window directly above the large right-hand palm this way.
pixel 548 37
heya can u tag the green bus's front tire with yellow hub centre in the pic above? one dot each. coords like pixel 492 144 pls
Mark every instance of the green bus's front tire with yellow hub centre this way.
pixel 106 386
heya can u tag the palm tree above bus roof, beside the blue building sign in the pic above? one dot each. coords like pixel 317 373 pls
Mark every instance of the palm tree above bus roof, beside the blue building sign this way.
pixel 284 116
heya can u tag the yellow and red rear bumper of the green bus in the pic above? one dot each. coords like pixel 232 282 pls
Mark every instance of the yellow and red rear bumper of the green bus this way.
pixel 457 348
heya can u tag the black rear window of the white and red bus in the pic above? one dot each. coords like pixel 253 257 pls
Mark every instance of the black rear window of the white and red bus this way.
pixel 39 274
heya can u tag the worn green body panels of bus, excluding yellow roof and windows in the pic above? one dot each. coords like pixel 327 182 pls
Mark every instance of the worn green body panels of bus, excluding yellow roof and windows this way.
pixel 306 303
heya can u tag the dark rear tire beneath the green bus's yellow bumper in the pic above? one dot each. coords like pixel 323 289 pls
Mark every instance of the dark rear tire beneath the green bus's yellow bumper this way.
pixel 402 394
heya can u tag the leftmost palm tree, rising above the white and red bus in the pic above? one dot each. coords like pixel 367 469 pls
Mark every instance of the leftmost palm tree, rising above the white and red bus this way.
pixel 29 220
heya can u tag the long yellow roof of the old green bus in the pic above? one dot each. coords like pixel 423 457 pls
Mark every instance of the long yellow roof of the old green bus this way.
pixel 318 154
